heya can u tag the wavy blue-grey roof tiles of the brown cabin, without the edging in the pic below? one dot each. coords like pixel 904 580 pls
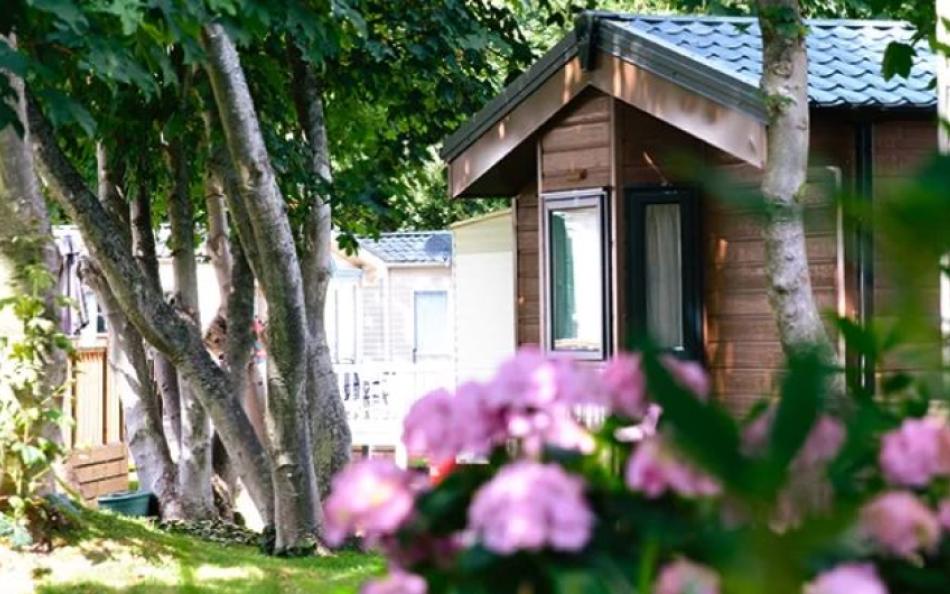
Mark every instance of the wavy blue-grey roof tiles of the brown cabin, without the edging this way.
pixel 845 57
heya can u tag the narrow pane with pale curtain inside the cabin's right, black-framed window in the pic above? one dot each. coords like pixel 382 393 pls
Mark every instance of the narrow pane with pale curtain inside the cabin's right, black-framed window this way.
pixel 664 274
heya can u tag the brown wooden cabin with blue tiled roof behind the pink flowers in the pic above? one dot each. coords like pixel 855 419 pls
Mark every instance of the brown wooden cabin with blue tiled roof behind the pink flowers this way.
pixel 600 143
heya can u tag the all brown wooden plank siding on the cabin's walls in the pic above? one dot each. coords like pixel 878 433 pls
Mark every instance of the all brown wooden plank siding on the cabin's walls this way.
pixel 599 141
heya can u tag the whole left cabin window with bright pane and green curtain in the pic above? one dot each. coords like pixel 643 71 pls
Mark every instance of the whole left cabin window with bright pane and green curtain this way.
pixel 575 274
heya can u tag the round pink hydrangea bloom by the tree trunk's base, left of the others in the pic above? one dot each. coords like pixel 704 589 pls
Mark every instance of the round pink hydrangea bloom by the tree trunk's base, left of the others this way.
pixel 372 497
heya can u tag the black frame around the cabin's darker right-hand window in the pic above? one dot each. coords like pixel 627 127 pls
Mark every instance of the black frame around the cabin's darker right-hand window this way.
pixel 638 198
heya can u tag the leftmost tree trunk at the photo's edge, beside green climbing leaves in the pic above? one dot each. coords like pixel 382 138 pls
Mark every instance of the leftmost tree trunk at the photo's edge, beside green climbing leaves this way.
pixel 26 238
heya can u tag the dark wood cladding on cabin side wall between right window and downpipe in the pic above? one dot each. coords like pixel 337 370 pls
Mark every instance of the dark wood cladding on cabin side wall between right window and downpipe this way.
pixel 742 349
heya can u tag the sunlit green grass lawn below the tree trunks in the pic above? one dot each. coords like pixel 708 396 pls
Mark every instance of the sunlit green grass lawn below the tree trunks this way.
pixel 113 555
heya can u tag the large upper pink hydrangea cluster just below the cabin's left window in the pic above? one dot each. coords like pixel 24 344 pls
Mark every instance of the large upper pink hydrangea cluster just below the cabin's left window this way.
pixel 530 399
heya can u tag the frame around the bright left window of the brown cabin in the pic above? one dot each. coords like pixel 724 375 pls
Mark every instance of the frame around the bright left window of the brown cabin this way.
pixel 575 200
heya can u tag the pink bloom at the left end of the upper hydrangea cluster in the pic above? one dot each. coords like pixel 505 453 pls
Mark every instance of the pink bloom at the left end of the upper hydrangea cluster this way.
pixel 429 427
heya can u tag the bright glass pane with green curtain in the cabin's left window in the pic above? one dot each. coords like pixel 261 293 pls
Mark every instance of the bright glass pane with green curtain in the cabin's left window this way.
pixel 576 283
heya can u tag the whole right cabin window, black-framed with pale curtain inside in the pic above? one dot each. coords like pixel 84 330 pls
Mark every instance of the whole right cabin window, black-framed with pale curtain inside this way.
pixel 664 284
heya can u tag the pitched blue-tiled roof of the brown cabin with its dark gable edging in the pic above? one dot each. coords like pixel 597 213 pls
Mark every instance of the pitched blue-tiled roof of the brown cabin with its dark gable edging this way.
pixel 720 58
